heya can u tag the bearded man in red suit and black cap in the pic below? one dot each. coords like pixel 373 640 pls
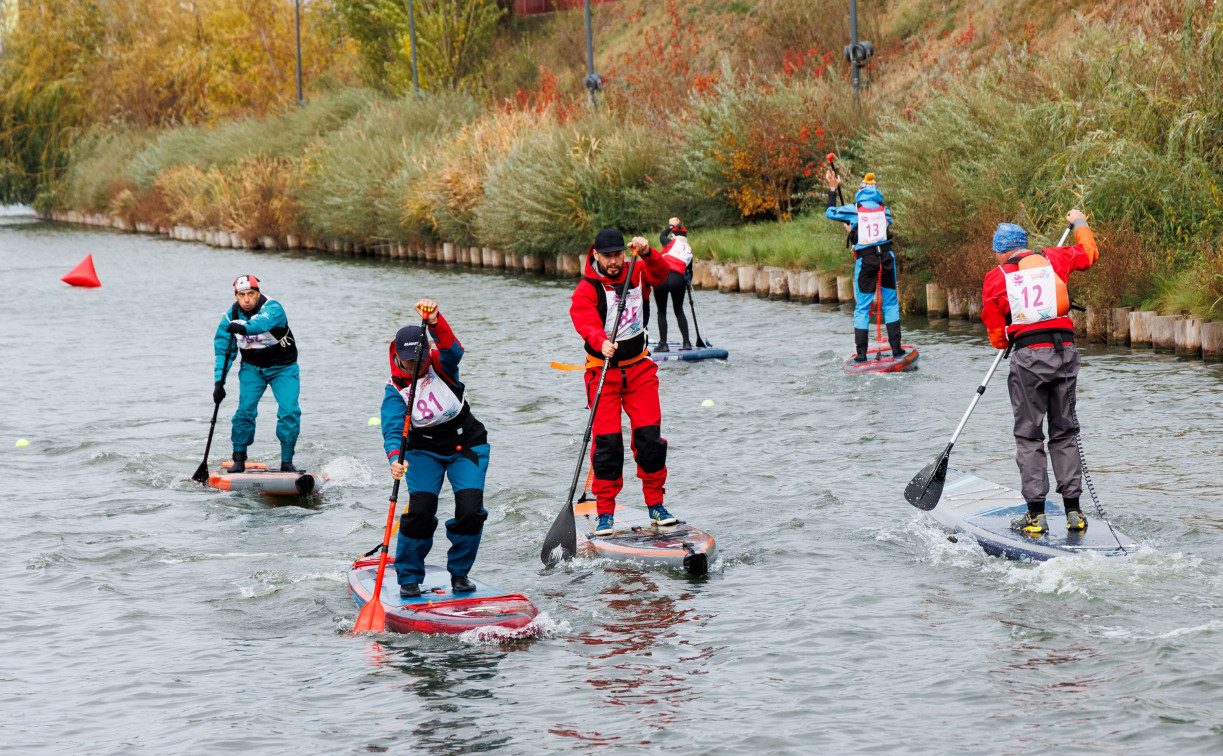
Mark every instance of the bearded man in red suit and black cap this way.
pixel 632 384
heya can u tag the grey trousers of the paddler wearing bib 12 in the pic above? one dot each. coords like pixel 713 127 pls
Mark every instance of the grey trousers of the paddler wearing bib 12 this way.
pixel 1043 384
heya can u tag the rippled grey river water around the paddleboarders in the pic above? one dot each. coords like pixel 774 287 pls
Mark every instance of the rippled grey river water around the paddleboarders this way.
pixel 149 616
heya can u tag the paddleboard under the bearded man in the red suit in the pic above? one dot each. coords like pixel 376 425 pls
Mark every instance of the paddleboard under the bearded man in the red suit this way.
pixel 678 547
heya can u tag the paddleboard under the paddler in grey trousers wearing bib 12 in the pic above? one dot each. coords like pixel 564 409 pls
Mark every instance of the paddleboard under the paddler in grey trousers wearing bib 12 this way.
pixel 983 511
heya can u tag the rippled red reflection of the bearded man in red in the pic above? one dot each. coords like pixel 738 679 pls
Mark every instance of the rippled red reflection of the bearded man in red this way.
pixel 650 671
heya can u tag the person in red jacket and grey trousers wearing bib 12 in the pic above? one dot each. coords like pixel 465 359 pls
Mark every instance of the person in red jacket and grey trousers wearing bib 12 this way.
pixel 1025 306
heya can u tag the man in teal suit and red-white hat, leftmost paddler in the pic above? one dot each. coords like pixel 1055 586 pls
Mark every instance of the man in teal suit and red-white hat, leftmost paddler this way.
pixel 270 359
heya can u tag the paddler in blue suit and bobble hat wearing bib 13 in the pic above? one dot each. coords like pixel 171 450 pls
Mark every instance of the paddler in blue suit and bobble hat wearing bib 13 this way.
pixel 869 223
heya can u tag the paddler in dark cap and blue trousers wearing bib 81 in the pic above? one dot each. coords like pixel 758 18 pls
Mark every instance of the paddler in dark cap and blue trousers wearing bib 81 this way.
pixel 446 441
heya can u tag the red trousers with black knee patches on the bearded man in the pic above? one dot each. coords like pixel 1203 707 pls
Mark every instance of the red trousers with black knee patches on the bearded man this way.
pixel 632 390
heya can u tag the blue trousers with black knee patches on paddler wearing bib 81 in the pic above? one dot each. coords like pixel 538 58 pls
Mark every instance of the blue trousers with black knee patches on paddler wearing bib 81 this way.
pixel 416 525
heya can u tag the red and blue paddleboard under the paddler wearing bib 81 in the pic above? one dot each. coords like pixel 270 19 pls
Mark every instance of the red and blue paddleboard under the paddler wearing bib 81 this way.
pixel 440 610
